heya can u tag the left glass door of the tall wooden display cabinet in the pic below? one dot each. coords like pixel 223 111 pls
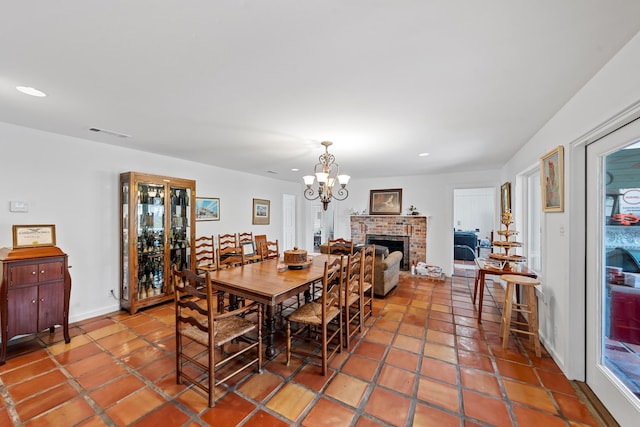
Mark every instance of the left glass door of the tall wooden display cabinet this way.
pixel 151 232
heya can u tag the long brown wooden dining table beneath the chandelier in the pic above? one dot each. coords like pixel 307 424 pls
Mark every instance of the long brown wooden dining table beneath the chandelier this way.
pixel 263 283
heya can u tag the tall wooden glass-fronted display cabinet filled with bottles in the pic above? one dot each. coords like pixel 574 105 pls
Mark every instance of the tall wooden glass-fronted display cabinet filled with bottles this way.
pixel 158 228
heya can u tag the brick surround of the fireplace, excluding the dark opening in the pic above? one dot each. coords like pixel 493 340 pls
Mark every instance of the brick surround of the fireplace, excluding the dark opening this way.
pixel 412 226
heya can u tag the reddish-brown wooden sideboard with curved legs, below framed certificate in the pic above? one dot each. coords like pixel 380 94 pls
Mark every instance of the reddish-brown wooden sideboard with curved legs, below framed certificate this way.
pixel 35 287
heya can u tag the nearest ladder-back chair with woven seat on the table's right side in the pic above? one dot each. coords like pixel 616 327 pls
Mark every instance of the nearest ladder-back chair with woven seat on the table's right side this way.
pixel 320 321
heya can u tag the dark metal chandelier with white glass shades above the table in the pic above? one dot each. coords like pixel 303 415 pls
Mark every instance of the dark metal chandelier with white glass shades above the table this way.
pixel 327 172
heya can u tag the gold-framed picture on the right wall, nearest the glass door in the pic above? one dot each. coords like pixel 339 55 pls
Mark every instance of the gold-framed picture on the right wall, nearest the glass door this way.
pixel 552 180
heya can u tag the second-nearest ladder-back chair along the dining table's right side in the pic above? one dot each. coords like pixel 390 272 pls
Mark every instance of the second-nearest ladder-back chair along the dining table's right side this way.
pixel 353 298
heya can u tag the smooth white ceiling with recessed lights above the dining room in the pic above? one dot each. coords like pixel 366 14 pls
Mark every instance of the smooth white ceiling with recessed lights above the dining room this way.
pixel 256 85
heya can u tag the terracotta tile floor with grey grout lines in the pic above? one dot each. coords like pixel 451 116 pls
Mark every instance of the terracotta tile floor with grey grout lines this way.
pixel 422 361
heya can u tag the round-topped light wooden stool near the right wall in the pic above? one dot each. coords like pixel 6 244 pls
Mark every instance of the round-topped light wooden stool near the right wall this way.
pixel 530 306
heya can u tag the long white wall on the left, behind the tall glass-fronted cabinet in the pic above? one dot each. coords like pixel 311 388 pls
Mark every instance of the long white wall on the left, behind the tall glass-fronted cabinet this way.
pixel 73 183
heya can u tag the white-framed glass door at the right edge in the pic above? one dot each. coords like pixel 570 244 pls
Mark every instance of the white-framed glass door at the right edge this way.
pixel 613 298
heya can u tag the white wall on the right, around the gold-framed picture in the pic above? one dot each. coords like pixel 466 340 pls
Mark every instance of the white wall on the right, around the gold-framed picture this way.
pixel 613 90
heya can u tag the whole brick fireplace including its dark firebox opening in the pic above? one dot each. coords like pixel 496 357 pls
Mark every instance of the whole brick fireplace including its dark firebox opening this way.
pixel 406 233
